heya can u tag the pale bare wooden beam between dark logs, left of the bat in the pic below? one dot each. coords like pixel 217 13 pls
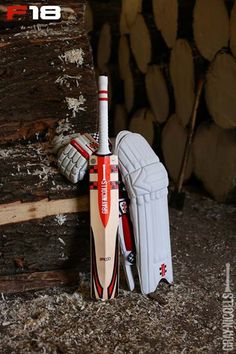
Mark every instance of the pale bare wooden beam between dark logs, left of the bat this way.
pixel 19 212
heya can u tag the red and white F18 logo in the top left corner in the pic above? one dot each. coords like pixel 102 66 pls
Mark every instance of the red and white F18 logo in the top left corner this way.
pixel 49 12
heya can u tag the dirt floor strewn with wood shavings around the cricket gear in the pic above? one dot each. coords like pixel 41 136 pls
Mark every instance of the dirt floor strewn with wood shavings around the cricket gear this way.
pixel 185 318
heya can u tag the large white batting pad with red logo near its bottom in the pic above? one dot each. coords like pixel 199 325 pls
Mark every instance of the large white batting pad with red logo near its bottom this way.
pixel 146 182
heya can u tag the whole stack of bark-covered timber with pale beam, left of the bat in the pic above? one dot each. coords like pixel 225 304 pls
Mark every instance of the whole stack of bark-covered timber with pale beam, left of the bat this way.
pixel 47 88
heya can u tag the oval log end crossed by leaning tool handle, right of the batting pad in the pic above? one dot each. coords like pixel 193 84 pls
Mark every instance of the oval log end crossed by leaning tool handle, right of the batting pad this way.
pixel 174 138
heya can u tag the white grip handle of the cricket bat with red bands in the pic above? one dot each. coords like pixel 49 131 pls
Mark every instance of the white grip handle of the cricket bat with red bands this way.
pixel 103 116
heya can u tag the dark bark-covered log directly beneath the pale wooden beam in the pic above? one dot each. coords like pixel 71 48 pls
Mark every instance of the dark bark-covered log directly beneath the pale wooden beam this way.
pixel 52 243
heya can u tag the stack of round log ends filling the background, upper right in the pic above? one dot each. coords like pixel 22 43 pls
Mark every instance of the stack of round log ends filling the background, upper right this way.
pixel 155 52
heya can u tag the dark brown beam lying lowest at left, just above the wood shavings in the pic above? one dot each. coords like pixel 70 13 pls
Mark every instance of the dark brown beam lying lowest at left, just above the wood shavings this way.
pixel 39 280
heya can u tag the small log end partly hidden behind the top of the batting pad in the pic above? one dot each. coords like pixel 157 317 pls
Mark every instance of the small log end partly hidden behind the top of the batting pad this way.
pixel 142 122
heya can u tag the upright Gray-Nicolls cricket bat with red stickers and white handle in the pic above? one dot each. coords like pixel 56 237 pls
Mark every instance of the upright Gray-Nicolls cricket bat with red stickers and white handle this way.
pixel 104 209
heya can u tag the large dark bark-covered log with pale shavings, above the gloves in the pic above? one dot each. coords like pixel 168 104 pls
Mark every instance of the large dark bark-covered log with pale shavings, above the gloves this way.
pixel 54 63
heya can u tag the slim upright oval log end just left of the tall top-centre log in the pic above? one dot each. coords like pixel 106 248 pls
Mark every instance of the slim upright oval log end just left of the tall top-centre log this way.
pixel 140 43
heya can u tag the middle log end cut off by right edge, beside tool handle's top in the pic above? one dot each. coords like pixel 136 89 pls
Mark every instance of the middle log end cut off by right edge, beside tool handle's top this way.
pixel 221 89
